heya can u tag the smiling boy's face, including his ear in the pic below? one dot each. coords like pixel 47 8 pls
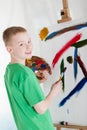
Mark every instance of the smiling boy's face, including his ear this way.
pixel 20 46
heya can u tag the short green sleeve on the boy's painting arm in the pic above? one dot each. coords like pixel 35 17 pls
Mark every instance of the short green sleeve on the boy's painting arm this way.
pixel 32 90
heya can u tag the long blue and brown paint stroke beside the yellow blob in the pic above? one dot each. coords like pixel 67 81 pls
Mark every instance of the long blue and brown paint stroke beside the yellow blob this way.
pixel 75 27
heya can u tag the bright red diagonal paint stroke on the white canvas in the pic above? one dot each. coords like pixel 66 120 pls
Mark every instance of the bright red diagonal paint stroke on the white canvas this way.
pixel 65 47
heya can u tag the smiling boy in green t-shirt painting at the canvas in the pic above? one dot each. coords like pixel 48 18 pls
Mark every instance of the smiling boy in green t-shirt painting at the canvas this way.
pixel 28 103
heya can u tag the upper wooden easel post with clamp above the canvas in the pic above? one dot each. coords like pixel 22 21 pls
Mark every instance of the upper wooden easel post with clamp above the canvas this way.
pixel 65 13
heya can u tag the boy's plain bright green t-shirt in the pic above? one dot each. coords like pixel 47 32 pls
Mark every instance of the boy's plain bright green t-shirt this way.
pixel 24 92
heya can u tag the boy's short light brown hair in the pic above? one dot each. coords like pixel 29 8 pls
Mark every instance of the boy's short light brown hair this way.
pixel 9 32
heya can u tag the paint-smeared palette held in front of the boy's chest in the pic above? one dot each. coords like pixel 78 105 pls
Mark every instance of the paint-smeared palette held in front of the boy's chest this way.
pixel 38 65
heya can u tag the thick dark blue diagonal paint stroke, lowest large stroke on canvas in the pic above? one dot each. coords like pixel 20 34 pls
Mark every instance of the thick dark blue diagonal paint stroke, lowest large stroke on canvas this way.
pixel 78 87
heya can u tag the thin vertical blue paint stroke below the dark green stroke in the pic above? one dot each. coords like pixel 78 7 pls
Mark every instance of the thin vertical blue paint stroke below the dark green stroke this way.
pixel 75 66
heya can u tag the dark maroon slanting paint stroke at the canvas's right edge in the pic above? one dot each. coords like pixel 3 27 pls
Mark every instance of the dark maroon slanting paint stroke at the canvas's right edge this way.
pixel 82 65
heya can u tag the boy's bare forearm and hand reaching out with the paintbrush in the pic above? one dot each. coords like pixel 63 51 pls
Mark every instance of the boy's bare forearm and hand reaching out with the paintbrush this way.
pixel 42 106
